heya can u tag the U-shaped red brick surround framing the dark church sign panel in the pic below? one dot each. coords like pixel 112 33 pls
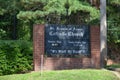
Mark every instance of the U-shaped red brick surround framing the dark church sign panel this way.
pixel 65 63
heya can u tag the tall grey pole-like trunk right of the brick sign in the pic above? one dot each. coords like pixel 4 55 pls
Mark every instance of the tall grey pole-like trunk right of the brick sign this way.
pixel 103 32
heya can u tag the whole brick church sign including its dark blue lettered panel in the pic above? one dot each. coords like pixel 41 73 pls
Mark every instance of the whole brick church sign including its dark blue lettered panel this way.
pixel 51 41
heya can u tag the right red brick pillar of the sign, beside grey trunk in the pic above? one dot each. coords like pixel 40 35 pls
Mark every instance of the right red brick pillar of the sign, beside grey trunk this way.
pixel 95 46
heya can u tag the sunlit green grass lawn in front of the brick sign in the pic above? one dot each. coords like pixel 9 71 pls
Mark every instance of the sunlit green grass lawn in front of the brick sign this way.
pixel 82 74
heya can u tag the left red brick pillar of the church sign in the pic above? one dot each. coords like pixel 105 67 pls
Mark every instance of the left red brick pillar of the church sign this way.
pixel 38 42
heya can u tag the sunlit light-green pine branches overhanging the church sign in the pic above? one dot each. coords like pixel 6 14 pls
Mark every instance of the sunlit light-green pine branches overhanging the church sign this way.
pixel 35 11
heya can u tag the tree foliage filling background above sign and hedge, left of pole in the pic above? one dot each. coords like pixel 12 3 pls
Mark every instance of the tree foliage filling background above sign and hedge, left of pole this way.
pixel 17 18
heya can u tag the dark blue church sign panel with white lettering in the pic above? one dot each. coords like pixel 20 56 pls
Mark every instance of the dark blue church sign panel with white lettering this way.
pixel 67 40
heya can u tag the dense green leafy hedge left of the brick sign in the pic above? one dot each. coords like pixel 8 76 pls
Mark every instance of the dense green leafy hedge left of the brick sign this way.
pixel 15 57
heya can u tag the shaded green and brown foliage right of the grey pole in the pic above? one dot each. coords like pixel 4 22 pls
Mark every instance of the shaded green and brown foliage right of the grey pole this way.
pixel 113 24
